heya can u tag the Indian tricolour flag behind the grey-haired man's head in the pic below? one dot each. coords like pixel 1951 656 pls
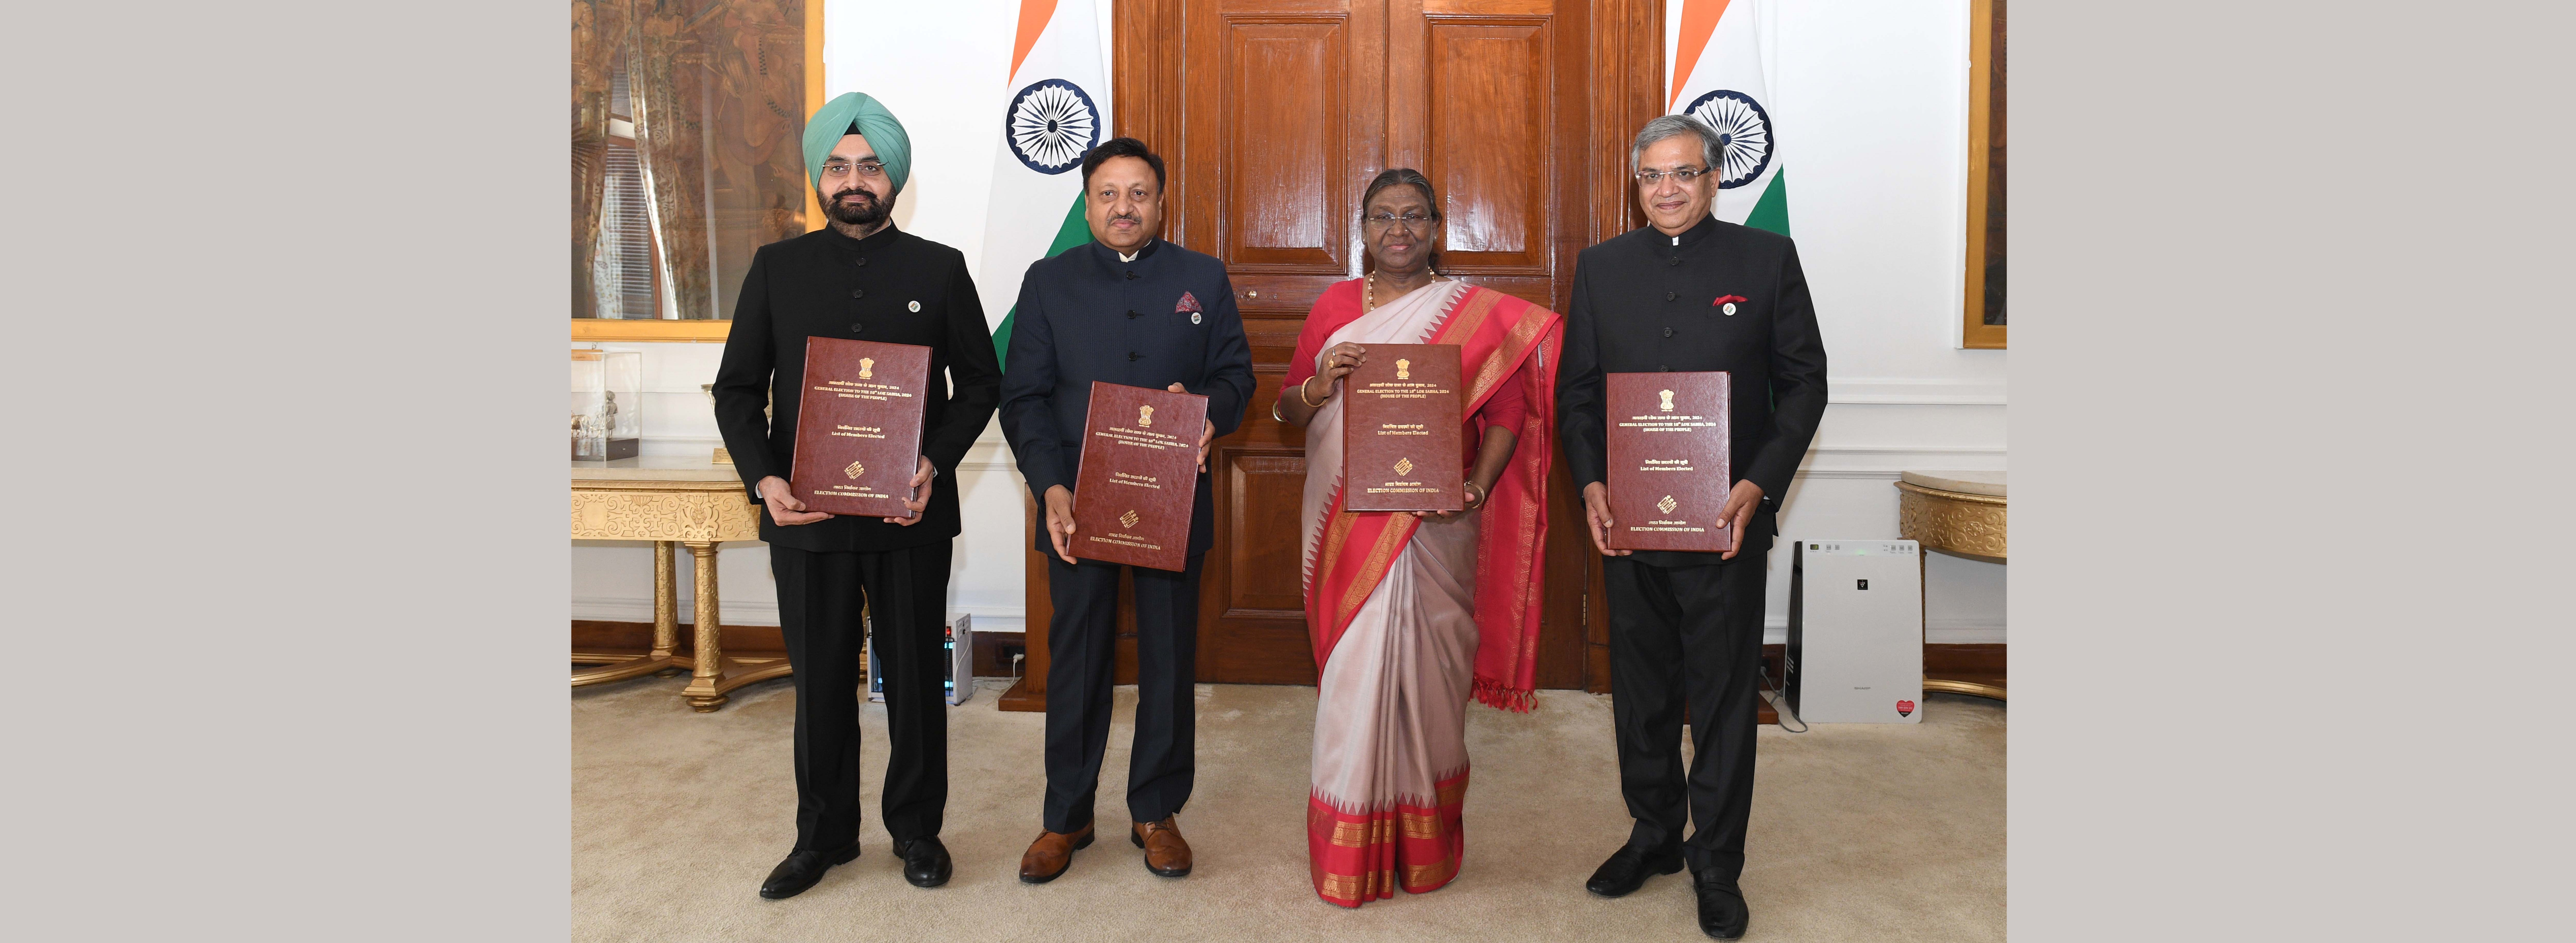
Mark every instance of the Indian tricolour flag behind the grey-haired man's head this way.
pixel 1714 50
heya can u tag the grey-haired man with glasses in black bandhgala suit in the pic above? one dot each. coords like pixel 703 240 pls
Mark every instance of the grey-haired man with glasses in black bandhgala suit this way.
pixel 1686 630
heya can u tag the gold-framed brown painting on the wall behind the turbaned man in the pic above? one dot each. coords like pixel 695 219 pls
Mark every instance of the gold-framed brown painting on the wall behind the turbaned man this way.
pixel 684 156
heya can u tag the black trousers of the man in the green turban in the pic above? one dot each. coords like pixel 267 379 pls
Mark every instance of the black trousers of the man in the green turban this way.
pixel 818 614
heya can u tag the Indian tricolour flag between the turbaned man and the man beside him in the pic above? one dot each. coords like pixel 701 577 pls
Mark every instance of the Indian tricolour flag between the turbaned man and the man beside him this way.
pixel 1052 112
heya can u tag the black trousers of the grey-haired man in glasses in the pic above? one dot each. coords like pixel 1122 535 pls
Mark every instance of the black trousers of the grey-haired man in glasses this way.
pixel 1689 638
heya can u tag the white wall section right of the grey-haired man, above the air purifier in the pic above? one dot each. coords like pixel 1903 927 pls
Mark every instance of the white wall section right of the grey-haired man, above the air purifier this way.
pixel 1874 115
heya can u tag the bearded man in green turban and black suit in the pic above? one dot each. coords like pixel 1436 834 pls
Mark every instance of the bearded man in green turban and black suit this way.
pixel 859 280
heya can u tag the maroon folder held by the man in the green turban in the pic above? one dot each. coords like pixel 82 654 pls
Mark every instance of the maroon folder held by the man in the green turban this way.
pixel 859 426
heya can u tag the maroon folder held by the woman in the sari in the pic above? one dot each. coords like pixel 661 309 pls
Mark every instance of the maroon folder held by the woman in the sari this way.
pixel 1400 434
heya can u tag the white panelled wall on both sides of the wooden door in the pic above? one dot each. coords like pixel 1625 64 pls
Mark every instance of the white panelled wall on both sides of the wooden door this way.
pixel 1871 112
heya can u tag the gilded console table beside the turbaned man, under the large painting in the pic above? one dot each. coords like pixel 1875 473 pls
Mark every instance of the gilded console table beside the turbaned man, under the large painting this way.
pixel 671 501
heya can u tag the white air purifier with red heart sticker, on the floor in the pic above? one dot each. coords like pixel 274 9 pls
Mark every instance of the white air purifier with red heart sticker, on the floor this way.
pixel 1856 633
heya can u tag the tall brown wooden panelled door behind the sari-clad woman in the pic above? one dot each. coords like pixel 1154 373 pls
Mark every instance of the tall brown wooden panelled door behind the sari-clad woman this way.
pixel 1274 117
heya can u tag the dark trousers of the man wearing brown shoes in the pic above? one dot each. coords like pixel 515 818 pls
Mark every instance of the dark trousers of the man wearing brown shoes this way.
pixel 1083 658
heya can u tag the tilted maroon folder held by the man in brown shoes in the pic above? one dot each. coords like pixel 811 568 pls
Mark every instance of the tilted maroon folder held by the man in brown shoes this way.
pixel 1140 478
